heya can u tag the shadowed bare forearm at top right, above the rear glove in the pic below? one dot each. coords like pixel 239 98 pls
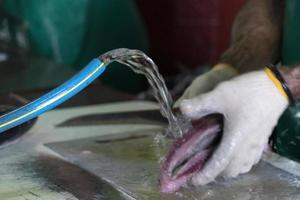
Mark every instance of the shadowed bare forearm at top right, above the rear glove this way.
pixel 256 35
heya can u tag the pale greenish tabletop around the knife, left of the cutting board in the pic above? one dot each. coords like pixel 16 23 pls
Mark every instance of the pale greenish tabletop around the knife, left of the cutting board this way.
pixel 29 170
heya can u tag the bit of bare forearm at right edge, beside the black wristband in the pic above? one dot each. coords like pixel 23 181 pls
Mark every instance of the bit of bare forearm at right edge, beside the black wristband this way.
pixel 292 78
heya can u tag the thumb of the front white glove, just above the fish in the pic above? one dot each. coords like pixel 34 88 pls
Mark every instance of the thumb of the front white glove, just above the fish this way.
pixel 200 106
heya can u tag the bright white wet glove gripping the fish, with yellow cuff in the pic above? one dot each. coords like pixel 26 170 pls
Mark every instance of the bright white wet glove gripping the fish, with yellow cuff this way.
pixel 251 105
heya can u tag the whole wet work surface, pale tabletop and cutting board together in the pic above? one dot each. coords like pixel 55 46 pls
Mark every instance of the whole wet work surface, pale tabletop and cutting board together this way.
pixel 118 162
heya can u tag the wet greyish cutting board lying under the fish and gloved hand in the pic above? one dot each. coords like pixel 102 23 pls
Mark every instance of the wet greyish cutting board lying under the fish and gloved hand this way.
pixel 129 162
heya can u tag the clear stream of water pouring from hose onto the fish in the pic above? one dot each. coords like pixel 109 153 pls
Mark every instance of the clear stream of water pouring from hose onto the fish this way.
pixel 142 64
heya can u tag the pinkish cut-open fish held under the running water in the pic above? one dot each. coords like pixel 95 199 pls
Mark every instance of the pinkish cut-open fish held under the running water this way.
pixel 189 153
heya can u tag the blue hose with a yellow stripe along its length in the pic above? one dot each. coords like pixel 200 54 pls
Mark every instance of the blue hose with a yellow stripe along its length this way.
pixel 54 98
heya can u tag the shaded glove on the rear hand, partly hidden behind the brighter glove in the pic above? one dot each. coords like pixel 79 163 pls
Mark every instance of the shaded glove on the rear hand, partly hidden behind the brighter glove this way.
pixel 208 81
